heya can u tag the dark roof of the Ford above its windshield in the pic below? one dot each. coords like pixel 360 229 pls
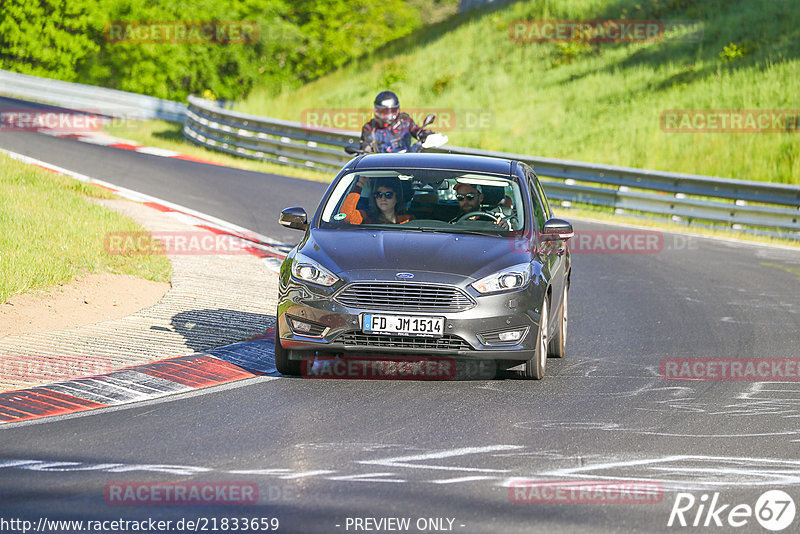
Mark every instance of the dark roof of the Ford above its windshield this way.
pixel 456 162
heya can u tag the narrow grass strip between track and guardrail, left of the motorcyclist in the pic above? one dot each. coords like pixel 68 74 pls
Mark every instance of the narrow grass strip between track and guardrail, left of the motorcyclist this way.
pixel 169 135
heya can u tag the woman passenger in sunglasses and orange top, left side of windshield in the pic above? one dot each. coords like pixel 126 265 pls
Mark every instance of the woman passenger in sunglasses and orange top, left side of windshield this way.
pixel 386 204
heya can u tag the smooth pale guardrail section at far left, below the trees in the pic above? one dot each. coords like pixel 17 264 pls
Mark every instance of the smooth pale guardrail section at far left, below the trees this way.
pixel 100 100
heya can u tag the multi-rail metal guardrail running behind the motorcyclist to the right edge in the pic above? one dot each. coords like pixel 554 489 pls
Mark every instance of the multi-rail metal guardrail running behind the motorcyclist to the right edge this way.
pixel 739 203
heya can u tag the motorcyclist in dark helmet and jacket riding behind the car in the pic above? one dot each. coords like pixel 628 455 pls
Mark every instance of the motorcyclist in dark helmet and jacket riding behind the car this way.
pixel 389 130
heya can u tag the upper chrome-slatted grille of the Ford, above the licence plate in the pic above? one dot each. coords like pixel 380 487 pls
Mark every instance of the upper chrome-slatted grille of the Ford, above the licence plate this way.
pixel 400 296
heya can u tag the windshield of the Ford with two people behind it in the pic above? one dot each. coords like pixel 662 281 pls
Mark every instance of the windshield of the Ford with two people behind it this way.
pixel 426 199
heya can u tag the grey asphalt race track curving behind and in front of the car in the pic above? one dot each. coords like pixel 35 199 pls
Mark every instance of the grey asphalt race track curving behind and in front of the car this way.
pixel 324 453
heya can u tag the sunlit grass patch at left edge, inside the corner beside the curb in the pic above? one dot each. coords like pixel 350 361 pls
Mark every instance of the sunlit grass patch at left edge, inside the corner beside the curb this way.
pixel 53 232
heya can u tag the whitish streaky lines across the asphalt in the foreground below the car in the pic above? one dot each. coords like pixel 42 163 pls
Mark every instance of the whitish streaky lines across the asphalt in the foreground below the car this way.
pixel 674 472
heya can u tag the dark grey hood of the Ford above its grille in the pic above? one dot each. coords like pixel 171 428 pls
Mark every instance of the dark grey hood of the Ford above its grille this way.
pixel 349 252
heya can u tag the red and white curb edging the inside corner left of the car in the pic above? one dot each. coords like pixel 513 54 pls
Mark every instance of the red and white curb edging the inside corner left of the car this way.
pixel 231 363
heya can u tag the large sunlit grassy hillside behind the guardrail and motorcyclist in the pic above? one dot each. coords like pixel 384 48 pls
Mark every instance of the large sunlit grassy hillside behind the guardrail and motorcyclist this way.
pixel 591 102
